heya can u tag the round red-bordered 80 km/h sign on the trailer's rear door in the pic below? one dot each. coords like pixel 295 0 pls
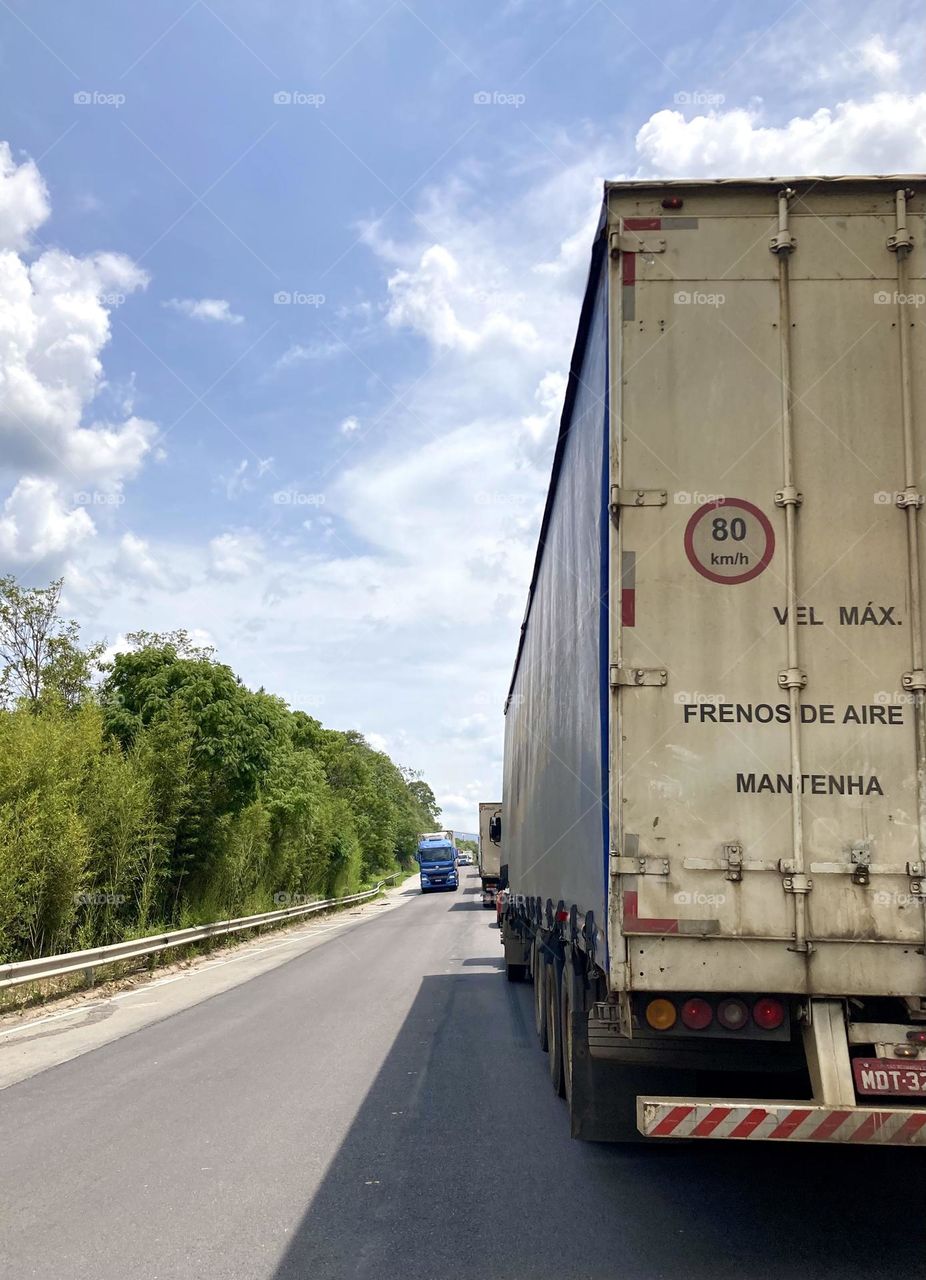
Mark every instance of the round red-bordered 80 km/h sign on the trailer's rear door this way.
pixel 729 541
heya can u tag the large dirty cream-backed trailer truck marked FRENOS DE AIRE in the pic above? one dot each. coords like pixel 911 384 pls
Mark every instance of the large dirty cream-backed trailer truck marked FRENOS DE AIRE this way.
pixel 715 748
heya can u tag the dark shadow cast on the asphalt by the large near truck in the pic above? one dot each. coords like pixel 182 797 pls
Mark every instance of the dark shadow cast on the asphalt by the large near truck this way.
pixel 459 1164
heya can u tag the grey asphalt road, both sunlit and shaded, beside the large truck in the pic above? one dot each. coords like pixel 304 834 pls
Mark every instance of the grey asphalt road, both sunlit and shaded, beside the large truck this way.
pixel 378 1108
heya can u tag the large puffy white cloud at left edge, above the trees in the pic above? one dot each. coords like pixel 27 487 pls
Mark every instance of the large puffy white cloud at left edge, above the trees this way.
pixel 54 323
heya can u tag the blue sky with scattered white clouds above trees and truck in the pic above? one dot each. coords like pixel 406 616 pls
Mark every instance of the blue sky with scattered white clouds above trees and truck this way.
pixel 288 299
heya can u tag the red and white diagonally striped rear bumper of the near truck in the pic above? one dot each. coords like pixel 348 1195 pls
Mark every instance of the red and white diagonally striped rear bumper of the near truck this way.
pixel 779 1122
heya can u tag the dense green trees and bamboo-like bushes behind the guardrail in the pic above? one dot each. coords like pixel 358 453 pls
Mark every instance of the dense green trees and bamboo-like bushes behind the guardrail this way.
pixel 158 792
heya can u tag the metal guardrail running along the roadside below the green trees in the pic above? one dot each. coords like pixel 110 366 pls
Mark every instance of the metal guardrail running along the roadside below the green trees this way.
pixel 77 962
